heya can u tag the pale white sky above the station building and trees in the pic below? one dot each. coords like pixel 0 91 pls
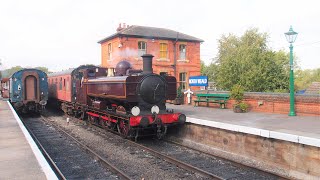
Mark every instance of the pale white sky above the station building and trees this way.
pixel 60 34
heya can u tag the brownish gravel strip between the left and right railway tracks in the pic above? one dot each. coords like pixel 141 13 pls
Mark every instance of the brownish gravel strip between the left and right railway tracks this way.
pixel 136 163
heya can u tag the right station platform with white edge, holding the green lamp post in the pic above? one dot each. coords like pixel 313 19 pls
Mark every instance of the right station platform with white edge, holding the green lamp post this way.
pixel 298 129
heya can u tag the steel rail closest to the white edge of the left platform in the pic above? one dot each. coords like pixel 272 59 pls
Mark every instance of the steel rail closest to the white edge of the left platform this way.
pixel 54 167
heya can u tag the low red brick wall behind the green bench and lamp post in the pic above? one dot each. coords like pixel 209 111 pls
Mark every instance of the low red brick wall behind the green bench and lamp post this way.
pixel 274 102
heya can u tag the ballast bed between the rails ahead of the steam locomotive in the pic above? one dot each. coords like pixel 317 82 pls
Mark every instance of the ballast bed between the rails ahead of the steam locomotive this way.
pixel 221 168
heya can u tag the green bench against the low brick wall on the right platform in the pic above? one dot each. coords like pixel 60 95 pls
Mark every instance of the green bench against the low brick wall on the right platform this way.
pixel 220 99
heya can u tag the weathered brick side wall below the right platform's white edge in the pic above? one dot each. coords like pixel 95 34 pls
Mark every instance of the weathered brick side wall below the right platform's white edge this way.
pixel 287 159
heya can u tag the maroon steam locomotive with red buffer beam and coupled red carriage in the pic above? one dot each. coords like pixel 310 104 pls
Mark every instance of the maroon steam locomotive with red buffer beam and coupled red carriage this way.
pixel 133 102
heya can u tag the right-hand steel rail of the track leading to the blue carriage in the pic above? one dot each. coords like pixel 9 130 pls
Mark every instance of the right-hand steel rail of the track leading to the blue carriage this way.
pixel 100 159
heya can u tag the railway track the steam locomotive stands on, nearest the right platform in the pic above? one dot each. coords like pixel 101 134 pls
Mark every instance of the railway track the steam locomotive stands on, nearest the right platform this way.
pixel 207 166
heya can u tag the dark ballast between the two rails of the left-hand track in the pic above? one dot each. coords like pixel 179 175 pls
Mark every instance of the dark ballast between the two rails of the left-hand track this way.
pixel 72 161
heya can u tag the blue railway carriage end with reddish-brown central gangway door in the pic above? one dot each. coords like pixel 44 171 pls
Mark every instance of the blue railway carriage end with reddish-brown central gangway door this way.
pixel 29 90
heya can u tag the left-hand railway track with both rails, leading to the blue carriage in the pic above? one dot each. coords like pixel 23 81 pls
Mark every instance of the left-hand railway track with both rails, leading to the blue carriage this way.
pixel 69 161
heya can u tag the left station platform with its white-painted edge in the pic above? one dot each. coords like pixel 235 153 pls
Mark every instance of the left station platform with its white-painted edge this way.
pixel 20 157
